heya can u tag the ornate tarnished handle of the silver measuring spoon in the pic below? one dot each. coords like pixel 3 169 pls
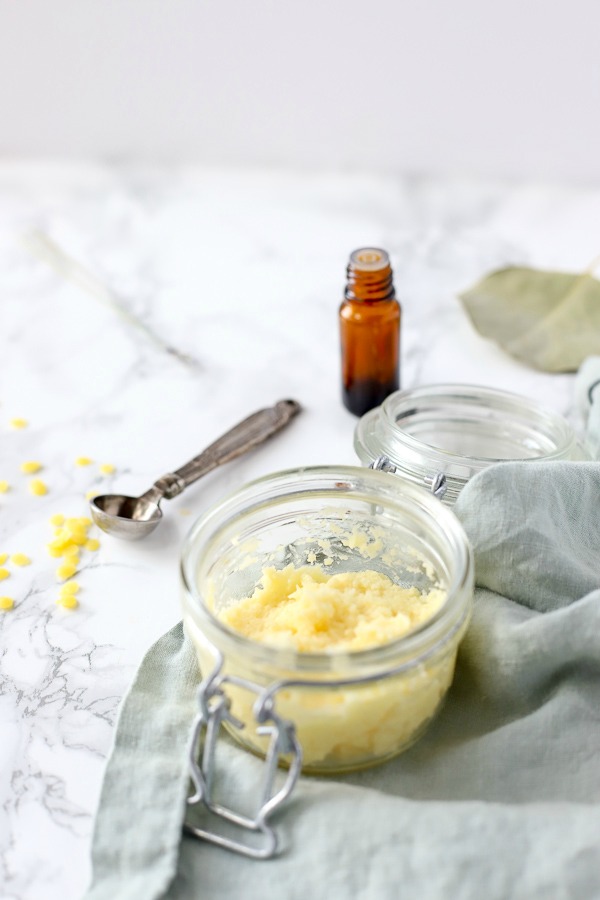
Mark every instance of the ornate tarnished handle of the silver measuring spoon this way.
pixel 241 438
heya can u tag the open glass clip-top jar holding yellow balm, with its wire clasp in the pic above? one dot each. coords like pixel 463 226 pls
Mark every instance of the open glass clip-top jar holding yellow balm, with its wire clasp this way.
pixel 378 576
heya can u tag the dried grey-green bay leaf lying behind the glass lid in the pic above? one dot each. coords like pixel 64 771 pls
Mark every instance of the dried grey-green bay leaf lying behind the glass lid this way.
pixel 550 320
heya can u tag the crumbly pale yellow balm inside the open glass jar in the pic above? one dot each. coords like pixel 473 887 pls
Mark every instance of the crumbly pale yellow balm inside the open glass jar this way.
pixel 310 610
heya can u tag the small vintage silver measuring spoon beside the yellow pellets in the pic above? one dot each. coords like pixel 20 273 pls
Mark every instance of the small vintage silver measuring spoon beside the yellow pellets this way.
pixel 133 518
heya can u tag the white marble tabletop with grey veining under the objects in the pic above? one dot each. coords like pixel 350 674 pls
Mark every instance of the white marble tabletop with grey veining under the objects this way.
pixel 243 270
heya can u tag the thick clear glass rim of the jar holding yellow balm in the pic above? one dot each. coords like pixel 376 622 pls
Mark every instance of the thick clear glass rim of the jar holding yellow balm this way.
pixel 377 486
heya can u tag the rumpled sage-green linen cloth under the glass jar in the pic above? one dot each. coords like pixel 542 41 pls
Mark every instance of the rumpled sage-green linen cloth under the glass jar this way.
pixel 500 798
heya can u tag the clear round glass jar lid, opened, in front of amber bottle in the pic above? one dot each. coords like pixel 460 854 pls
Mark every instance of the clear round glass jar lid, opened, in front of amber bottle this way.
pixel 456 430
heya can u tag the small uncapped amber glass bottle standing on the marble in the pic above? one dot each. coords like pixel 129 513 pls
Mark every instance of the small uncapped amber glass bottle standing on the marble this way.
pixel 369 331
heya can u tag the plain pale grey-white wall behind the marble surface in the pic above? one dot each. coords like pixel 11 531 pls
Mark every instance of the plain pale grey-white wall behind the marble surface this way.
pixel 473 87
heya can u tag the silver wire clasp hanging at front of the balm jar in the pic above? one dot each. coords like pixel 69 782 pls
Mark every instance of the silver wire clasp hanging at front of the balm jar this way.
pixel 214 712
